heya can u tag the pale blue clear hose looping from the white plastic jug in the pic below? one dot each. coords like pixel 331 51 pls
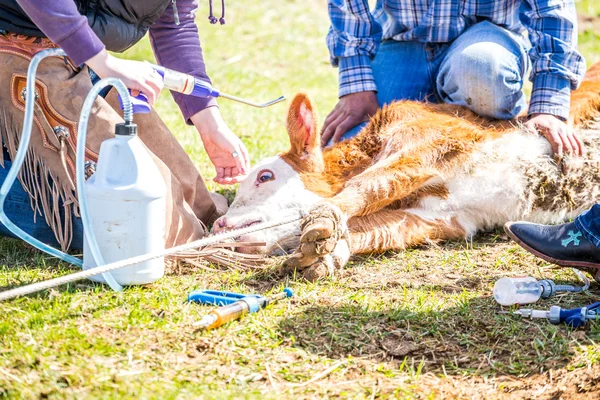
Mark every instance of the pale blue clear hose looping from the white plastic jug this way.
pixel 19 158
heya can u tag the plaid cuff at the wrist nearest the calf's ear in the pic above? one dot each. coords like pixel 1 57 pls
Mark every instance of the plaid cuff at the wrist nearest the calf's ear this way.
pixel 356 75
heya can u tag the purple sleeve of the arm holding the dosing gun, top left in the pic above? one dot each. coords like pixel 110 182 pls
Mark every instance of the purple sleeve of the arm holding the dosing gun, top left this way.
pixel 62 23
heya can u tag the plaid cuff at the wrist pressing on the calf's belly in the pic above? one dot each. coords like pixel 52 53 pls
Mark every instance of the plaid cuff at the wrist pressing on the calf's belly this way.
pixel 551 94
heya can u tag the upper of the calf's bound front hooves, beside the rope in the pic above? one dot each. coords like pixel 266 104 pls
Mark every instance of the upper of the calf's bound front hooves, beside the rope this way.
pixel 324 226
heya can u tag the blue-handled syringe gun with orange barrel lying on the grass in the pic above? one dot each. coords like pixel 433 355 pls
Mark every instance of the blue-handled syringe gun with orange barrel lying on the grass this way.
pixel 232 305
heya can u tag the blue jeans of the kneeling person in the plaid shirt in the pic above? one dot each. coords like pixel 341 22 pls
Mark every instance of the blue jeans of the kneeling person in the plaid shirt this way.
pixel 483 70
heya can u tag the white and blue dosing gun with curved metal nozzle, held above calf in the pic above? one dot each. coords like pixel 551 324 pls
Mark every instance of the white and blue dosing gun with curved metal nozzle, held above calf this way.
pixel 187 84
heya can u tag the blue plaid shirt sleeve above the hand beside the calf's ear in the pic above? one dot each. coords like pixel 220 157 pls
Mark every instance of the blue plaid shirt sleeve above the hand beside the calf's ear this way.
pixel 353 39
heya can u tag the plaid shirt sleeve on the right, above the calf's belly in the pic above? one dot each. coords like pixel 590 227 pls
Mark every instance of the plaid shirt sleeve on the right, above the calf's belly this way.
pixel 557 66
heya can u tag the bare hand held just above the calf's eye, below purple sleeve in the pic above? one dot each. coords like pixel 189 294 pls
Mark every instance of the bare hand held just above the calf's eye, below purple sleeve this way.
pixel 225 150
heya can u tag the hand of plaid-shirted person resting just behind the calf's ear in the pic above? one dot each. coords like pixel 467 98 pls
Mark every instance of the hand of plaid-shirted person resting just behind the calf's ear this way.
pixel 350 111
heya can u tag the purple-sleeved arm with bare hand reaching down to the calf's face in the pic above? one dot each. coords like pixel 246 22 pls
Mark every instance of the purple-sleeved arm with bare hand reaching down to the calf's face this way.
pixel 178 47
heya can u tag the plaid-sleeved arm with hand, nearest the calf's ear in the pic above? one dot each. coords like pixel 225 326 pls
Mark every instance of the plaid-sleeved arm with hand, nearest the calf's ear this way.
pixel 353 39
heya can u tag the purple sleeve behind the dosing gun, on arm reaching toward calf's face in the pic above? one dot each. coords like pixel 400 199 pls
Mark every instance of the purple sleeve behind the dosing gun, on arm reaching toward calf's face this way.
pixel 178 47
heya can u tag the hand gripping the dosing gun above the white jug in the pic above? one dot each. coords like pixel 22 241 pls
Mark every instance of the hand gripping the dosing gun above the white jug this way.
pixel 136 75
